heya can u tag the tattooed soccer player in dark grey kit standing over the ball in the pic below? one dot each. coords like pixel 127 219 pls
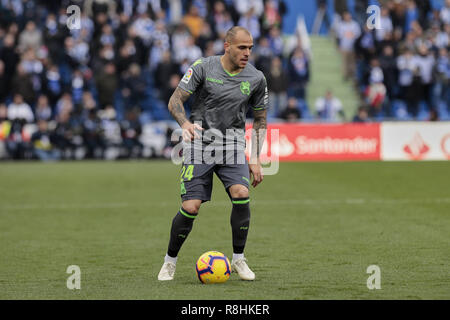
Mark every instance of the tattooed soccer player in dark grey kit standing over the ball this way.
pixel 224 88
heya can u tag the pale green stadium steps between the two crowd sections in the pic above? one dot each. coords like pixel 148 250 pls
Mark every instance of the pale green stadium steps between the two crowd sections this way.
pixel 326 73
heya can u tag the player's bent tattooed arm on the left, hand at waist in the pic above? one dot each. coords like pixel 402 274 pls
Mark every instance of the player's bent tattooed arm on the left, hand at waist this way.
pixel 177 111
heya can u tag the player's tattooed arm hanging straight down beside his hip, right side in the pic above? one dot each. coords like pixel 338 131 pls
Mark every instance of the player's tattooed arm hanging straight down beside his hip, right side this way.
pixel 258 137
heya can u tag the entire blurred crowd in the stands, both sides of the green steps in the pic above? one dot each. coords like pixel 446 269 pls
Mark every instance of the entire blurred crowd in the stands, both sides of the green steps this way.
pixel 101 90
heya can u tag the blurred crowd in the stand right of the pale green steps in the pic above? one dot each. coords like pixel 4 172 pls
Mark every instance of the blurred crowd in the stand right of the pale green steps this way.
pixel 401 67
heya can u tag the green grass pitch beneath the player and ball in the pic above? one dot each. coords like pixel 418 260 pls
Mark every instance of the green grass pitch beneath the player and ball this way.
pixel 315 229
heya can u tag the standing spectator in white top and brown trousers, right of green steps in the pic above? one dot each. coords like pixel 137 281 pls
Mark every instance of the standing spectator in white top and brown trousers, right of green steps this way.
pixel 348 32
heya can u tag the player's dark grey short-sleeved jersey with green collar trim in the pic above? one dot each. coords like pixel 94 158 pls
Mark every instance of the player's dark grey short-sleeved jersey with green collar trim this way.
pixel 222 99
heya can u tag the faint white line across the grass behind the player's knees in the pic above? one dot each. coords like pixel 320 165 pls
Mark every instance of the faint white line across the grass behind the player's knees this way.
pixel 118 205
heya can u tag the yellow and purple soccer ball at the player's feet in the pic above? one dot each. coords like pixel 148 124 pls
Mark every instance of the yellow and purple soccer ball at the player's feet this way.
pixel 213 267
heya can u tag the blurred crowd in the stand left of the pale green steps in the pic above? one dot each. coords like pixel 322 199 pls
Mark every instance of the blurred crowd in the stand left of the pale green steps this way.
pixel 69 91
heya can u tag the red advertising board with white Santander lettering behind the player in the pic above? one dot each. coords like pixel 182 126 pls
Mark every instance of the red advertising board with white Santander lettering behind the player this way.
pixel 323 142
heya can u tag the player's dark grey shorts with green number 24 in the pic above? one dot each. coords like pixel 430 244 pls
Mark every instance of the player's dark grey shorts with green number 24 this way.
pixel 197 178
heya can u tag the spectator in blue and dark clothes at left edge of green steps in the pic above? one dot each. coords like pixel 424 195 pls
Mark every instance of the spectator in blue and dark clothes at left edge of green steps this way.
pixel 298 70
